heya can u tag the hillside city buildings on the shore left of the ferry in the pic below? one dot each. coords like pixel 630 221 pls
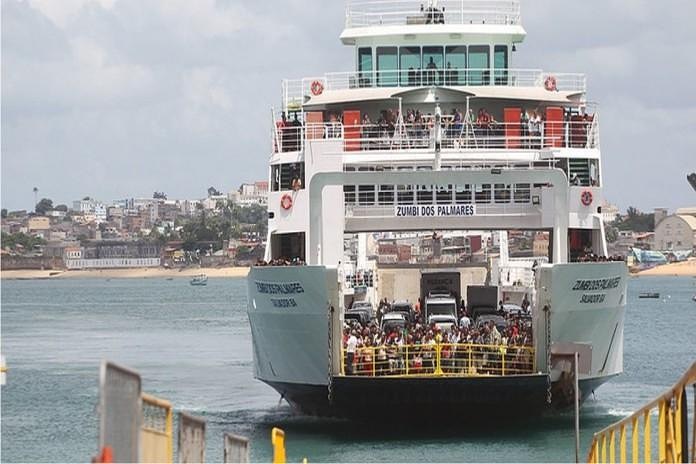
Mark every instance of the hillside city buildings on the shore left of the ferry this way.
pixel 123 233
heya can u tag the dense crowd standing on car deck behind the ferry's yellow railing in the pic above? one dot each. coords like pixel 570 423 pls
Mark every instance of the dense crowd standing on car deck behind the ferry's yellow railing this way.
pixel 467 347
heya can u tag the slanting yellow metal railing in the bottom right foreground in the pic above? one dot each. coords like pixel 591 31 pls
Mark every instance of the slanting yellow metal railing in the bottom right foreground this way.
pixel 672 430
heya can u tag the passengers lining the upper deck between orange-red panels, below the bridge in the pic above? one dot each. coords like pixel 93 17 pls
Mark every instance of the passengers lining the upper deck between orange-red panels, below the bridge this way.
pixel 482 129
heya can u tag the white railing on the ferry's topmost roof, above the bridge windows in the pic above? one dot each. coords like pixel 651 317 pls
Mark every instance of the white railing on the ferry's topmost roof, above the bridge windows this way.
pixel 363 13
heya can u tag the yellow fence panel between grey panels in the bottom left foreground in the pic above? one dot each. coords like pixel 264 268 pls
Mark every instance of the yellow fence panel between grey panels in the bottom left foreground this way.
pixel 156 436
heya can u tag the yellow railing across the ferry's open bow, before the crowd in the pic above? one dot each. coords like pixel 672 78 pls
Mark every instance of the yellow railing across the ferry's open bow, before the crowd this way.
pixel 443 359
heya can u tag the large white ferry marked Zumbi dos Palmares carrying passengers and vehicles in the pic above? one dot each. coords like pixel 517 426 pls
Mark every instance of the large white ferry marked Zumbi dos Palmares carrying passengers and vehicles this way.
pixel 434 132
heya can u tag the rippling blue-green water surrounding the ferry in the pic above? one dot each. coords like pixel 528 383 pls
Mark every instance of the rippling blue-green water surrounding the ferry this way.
pixel 192 345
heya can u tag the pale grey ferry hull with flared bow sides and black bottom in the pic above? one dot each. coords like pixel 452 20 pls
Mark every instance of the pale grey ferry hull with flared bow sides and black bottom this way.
pixel 289 313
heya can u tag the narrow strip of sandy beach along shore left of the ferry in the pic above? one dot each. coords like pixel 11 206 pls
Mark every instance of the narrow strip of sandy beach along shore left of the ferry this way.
pixel 136 273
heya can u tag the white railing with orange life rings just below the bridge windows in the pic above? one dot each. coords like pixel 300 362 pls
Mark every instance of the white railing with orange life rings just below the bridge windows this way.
pixel 297 91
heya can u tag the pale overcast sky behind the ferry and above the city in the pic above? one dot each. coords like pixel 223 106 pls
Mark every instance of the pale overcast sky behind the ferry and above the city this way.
pixel 119 98
